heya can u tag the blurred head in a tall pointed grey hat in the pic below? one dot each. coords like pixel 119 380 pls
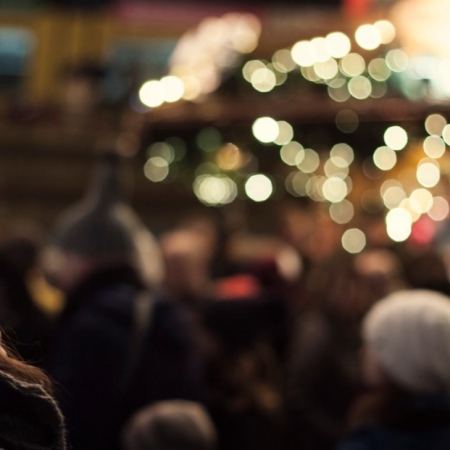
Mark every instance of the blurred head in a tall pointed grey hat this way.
pixel 101 231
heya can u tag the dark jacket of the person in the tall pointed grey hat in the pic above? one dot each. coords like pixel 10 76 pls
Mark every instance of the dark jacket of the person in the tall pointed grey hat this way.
pixel 93 348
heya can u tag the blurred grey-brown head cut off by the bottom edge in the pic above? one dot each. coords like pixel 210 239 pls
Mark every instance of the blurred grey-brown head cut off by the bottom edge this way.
pixel 170 425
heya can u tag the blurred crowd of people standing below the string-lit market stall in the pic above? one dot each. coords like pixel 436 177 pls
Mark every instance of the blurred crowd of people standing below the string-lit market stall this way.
pixel 209 336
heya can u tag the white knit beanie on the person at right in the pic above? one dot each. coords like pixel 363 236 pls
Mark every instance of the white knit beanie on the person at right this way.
pixel 410 333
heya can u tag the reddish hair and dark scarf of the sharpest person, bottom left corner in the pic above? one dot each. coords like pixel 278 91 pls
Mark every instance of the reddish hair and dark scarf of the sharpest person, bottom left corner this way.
pixel 29 416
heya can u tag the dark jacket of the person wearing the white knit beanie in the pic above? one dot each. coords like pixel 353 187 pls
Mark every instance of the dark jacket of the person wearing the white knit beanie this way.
pixel 415 423
